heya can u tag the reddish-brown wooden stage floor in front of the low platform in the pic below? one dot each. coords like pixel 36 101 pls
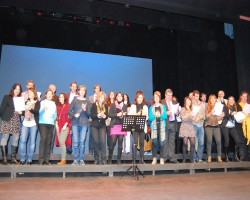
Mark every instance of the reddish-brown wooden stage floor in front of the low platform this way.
pixel 210 185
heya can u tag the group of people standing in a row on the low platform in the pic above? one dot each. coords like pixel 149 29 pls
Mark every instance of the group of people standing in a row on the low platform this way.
pixel 100 117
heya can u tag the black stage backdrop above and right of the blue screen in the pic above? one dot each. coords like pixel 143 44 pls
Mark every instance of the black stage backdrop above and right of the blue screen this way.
pixel 184 61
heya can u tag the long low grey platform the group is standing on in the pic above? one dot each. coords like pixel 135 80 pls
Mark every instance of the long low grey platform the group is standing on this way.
pixel 14 171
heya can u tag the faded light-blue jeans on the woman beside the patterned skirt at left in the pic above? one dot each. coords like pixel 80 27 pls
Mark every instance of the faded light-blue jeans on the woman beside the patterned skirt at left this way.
pixel 27 132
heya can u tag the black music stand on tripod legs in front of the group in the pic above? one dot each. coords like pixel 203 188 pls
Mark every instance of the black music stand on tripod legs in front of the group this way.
pixel 133 123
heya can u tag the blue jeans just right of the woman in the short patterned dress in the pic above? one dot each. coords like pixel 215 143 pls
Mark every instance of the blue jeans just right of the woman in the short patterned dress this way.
pixel 199 132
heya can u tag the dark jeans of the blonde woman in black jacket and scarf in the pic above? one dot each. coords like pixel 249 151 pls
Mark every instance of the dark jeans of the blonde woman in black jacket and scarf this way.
pixel 99 136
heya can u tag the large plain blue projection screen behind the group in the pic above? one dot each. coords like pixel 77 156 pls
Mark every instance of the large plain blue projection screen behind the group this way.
pixel 61 67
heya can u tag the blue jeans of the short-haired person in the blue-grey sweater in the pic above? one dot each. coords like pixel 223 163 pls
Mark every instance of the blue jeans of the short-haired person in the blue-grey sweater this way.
pixel 79 138
